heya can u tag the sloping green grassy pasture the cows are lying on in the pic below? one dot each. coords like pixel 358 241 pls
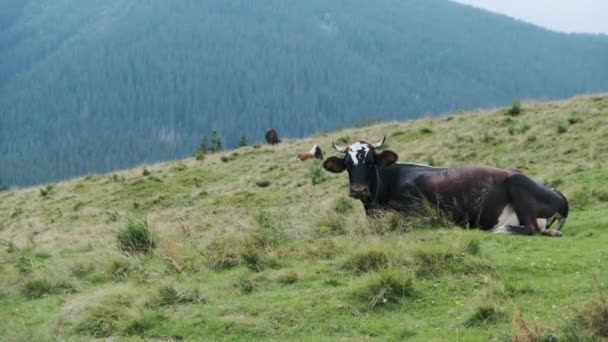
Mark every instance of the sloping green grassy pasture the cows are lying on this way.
pixel 259 252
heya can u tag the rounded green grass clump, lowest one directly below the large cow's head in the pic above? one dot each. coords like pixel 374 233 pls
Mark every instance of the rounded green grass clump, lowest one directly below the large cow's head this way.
pixel 386 288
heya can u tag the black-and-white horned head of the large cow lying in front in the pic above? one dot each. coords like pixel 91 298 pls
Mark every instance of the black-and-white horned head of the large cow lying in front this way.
pixel 362 162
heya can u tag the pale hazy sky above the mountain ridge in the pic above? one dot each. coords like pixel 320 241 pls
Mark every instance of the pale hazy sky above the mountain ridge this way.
pixel 561 15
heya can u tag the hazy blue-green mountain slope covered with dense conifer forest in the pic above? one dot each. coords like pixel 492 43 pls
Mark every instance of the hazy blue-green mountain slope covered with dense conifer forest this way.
pixel 90 86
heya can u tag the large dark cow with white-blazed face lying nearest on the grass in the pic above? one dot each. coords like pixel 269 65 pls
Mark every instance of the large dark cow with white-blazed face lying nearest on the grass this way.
pixel 502 201
